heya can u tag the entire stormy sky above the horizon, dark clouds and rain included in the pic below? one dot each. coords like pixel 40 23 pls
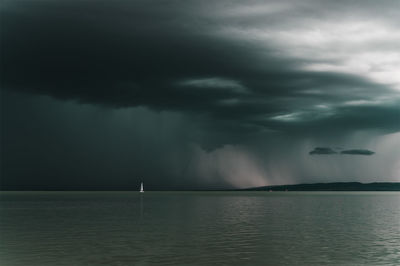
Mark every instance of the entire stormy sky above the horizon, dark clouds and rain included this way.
pixel 198 94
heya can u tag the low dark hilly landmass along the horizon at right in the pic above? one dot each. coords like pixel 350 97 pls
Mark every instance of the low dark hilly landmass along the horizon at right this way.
pixel 337 186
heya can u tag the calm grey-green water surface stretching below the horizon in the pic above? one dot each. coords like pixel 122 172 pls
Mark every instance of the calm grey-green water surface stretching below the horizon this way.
pixel 199 228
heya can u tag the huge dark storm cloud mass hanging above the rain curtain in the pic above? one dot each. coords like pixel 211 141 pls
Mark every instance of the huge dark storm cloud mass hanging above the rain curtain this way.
pixel 187 57
